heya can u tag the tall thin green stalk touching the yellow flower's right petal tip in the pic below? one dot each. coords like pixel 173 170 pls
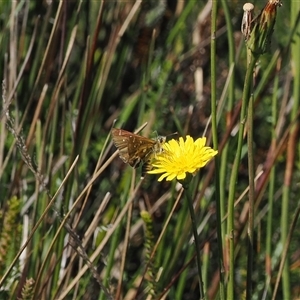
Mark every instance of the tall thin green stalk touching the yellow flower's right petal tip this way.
pixel 215 143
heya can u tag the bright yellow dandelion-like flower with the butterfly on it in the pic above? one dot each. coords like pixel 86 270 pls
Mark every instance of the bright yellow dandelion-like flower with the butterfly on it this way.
pixel 181 157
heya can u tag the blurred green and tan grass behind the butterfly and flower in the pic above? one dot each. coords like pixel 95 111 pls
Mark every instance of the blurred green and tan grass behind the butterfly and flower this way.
pixel 69 69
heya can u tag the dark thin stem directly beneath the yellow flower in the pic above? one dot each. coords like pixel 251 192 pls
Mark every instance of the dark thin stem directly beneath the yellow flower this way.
pixel 197 243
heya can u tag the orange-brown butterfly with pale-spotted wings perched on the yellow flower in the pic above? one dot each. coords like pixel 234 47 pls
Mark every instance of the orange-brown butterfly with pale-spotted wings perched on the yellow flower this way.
pixel 135 149
